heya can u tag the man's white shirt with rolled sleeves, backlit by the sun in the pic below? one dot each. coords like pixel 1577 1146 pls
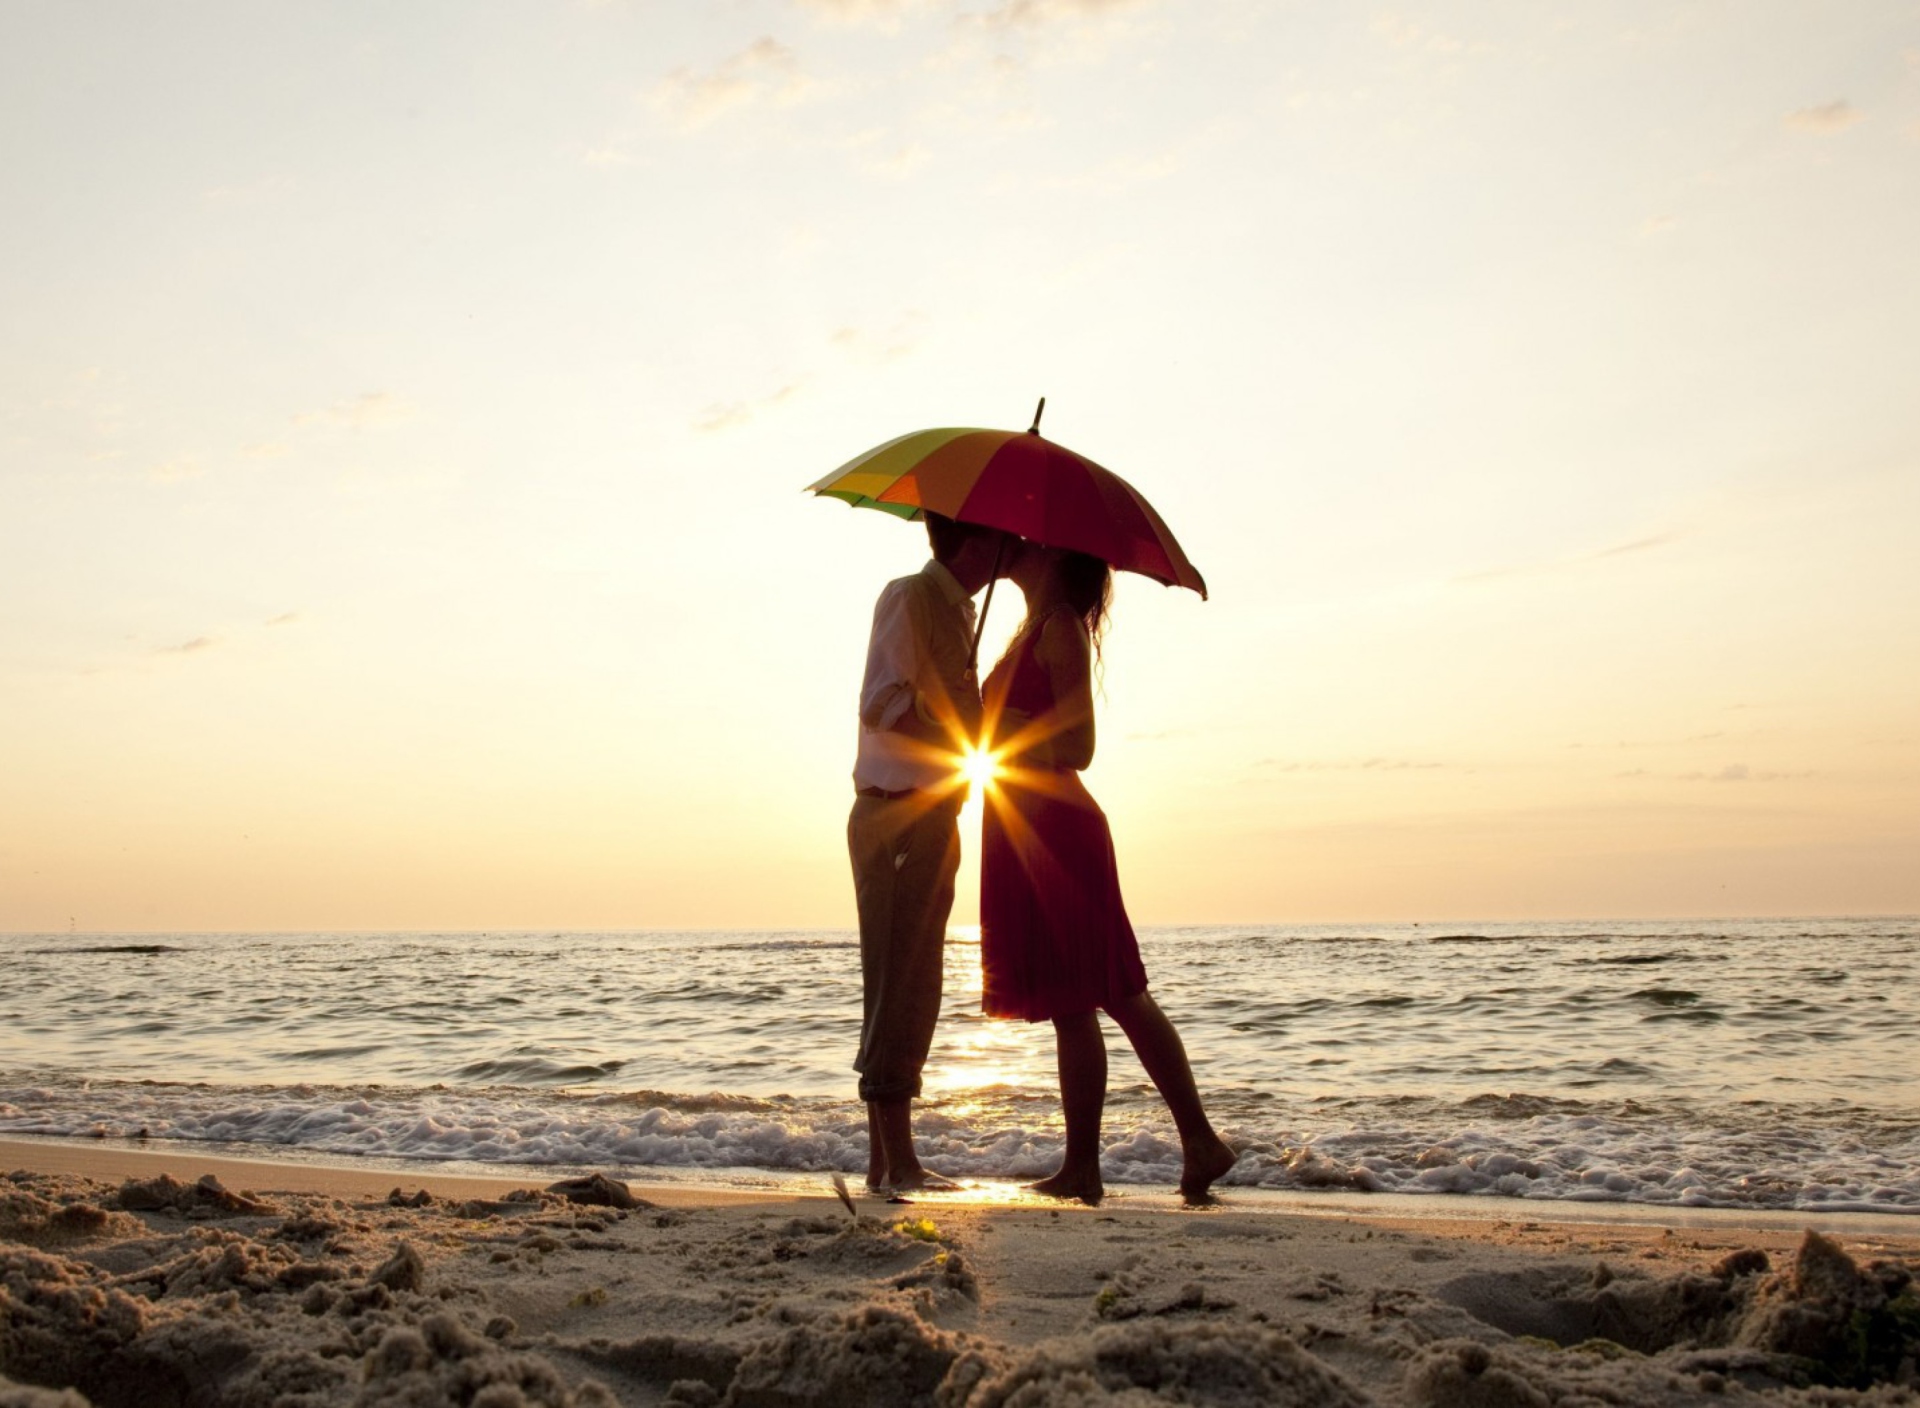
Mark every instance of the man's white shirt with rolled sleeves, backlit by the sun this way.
pixel 917 664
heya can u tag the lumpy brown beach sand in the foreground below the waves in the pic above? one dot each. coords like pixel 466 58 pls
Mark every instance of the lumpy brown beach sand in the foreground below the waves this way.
pixel 178 1280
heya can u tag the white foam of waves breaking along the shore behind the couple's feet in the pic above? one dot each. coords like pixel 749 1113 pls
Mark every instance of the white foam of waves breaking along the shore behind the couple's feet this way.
pixel 1838 1159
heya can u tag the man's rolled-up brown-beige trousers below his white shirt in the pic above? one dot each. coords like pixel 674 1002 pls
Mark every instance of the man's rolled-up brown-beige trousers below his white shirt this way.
pixel 905 854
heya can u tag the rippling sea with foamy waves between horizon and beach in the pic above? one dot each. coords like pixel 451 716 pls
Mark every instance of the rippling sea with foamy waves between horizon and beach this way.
pixel 1702 1065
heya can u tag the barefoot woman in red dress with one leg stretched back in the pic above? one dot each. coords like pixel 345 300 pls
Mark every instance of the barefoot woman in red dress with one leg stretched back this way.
pixel 1055 936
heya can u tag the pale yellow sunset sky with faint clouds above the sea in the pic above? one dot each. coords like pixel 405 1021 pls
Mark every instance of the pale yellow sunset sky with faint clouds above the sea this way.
pixel 406 414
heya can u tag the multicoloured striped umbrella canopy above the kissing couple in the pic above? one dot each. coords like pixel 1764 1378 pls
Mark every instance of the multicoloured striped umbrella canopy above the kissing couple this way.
pixel 1020 483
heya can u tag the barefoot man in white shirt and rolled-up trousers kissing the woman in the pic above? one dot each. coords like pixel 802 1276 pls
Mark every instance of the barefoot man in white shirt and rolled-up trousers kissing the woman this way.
pixel 919 710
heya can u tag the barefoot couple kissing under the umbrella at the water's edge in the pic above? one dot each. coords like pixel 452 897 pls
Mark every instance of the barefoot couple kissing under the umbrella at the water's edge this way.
pixel 1055 936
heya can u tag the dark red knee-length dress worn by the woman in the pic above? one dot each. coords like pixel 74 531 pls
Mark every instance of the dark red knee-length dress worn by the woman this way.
pixel 1053 931
